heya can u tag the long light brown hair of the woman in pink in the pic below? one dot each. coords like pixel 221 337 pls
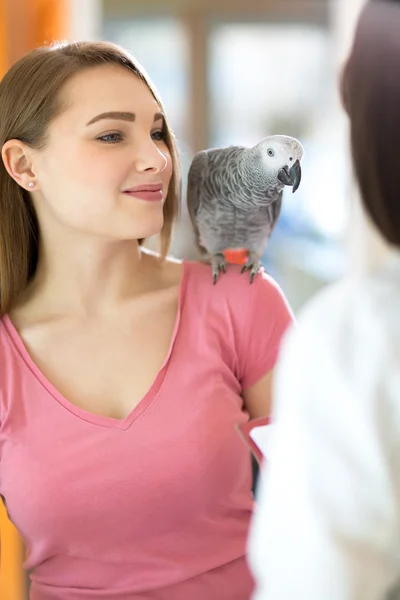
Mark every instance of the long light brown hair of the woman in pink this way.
pixel 29 99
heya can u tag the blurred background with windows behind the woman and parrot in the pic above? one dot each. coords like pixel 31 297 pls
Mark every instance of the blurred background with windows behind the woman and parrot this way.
pixel 231 72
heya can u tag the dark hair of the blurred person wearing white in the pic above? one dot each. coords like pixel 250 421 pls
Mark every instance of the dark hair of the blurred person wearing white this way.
pixel 371 95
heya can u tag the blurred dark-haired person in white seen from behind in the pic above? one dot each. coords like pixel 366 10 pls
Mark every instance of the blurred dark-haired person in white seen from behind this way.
pixel 328 522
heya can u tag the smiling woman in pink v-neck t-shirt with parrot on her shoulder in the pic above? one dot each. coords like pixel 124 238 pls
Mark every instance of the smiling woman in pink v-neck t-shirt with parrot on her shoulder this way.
pixel 124 374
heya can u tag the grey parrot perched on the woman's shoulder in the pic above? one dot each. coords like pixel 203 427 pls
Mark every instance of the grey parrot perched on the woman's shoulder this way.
pixel 234 197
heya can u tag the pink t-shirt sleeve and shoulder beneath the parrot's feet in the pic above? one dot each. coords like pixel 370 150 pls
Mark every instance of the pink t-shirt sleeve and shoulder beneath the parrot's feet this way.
pixel 249 319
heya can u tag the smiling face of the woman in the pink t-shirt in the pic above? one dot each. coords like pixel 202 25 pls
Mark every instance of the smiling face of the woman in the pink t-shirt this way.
pixel 105 168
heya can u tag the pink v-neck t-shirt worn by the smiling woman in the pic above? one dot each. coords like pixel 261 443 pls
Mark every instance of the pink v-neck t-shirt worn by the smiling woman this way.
pixel 155 506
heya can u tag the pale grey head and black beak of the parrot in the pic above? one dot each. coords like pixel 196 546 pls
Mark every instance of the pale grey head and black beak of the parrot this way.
pixel 281 157
